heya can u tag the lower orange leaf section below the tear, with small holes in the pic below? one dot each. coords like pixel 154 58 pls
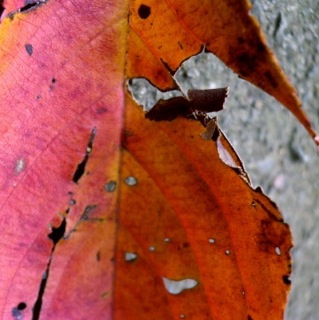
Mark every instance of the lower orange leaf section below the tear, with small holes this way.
pixel 188 215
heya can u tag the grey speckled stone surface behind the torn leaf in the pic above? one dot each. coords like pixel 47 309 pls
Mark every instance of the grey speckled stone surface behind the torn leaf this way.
pixel 276 150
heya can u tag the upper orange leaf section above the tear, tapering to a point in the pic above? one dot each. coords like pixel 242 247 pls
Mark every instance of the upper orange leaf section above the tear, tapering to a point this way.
pixel 172 31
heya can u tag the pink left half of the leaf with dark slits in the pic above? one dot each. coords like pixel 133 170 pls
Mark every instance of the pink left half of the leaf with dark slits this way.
pixel 61 93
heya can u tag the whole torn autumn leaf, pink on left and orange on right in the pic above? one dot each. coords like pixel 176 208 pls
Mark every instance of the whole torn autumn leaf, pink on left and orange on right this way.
pixel 108 215
